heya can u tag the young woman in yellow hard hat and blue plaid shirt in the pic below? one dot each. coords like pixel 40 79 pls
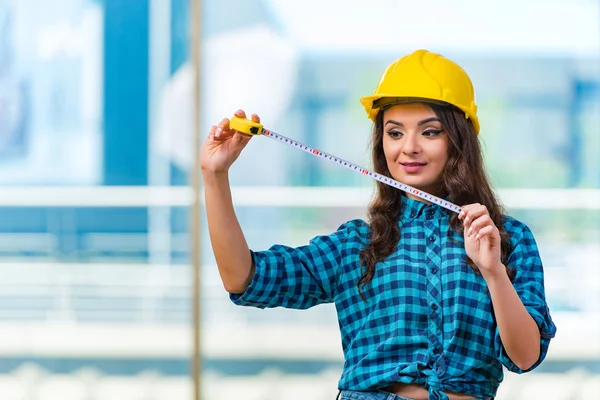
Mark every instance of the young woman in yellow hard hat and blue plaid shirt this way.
pixel 430 303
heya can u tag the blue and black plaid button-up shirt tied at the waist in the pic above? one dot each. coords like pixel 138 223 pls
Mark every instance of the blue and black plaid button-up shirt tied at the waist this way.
pixel 428 318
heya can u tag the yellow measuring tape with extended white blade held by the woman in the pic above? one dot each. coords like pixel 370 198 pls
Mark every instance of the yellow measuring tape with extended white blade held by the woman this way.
pixel 249 127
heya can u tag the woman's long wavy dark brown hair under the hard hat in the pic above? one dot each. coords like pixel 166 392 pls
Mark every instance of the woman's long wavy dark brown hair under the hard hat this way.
pixel 464 181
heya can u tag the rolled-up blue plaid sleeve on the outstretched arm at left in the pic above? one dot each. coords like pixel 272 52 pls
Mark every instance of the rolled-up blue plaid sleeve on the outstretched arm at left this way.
pixel 296 277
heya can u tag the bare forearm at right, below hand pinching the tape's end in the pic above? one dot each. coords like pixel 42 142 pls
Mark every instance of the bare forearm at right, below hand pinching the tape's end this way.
pixel 518 330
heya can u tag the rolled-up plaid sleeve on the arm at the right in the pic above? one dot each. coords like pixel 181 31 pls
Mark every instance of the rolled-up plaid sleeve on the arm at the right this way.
pixel 529 285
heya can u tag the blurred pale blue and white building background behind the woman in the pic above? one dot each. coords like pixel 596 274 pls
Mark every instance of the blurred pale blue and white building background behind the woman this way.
pixel 97 150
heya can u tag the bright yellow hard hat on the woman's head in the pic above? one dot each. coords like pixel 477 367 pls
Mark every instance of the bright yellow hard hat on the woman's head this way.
pixel 424 76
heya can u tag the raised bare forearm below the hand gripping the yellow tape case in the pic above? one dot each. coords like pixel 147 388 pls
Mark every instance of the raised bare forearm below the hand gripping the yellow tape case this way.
pixel 228 242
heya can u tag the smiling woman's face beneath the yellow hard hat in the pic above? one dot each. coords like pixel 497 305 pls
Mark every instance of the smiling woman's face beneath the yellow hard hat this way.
pixel 415 147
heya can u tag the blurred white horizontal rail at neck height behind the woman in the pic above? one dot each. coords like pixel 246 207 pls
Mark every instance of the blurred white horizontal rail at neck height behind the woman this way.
pixel 173 196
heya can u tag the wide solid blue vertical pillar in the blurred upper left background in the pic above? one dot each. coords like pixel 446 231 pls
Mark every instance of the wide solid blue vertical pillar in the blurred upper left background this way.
pixel 126 25
